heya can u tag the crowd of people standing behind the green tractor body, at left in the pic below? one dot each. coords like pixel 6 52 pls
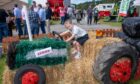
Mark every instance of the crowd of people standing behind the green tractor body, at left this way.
pixel 39 17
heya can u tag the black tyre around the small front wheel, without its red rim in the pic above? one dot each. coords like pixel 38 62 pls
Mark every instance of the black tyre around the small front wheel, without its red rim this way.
pixel 30 67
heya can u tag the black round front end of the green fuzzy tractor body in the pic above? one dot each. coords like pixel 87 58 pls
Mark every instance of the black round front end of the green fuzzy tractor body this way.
pixel 11 52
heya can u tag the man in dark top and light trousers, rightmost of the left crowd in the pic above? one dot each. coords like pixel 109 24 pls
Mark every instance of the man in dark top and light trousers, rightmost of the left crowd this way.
pixel 48 17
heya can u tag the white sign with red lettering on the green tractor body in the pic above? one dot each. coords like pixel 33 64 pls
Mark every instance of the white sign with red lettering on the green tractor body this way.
pixel 43 52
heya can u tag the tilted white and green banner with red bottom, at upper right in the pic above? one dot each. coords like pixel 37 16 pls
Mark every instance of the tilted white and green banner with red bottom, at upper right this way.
pixel 124 7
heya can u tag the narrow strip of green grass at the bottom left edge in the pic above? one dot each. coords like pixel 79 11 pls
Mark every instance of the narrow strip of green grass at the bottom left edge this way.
pixel 2 65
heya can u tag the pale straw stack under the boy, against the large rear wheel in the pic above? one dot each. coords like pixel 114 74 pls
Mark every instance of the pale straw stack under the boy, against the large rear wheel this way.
pixel 81 71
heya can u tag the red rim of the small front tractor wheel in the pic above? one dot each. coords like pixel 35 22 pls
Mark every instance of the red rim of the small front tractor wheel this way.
pixel 30 78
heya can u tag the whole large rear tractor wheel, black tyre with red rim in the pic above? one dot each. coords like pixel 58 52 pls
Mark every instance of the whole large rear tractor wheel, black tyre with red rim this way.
pixel 116 63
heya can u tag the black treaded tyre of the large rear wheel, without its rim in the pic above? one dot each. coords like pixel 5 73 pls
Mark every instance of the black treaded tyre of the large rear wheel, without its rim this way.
pixel 108 56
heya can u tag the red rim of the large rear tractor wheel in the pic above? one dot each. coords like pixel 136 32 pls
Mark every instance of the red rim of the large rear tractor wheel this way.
pixel 121 70
